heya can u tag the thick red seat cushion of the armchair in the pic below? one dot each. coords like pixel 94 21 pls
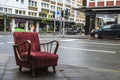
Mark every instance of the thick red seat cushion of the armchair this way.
pixel 42 59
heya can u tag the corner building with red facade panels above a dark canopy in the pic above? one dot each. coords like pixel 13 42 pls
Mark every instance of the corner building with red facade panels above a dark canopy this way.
pixel 99 13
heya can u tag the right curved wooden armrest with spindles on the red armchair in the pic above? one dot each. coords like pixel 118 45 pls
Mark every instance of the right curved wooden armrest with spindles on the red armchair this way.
pixel 51 46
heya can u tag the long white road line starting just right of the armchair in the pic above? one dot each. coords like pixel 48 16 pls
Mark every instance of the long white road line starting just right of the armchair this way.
pixel 89 50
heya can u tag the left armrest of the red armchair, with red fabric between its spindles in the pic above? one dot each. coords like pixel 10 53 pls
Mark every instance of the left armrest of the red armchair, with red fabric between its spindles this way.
pixel 20 48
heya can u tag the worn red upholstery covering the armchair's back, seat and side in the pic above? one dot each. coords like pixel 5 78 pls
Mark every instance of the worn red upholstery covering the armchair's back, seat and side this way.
pixel 36 58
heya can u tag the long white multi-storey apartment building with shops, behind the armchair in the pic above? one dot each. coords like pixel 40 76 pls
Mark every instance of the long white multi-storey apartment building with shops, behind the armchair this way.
pixel 28 14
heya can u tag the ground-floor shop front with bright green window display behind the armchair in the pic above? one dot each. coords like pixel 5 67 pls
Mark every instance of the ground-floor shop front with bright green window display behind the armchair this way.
pixel 19 23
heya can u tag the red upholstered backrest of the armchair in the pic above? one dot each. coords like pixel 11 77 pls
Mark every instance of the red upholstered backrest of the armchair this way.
pixel 20 37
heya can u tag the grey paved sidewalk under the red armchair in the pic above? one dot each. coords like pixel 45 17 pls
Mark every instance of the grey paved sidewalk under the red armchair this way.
pixel 9 71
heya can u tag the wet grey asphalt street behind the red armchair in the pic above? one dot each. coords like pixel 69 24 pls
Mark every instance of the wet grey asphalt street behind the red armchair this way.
pixel 80 52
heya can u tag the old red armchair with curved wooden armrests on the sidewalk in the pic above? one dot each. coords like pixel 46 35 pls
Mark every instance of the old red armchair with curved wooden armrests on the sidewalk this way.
pixel 31 54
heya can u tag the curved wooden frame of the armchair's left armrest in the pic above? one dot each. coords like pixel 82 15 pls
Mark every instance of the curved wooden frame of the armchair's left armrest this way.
pixel 18 51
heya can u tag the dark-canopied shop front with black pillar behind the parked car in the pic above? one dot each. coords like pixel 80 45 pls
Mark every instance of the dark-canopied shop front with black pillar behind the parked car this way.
pixel 96 17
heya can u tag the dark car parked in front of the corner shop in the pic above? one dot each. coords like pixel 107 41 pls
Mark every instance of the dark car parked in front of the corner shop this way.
pixel 112 30
